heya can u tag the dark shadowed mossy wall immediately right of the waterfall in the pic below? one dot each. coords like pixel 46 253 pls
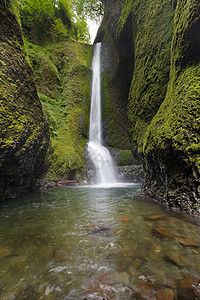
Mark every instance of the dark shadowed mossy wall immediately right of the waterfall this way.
pixel 114 110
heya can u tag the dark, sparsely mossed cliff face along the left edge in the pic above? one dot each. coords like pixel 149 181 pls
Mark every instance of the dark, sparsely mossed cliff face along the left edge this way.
pixel 24 135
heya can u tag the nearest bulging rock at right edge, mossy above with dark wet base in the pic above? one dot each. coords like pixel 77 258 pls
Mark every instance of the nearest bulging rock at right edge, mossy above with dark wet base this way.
pixel 173 135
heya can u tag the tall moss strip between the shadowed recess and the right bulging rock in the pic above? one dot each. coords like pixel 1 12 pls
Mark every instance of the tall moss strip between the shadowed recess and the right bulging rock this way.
pixel 152 45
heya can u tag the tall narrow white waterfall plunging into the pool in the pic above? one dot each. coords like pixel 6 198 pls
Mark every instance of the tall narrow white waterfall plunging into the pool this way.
pixel 100 155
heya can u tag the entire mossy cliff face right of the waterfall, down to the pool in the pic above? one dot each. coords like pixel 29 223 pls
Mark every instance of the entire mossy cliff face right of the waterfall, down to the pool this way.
pixel 155 51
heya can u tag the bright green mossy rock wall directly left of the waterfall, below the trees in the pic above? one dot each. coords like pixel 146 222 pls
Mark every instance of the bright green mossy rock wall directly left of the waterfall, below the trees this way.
pixel 63 75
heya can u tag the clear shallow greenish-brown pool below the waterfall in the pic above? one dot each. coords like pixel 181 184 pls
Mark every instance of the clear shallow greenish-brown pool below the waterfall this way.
pixel 82 242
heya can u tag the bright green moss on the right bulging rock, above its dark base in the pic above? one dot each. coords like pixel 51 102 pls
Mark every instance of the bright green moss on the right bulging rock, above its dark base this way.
pixel 178 118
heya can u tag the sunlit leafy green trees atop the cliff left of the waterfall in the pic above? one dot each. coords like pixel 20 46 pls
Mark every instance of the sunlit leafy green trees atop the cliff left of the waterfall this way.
pixel 46 21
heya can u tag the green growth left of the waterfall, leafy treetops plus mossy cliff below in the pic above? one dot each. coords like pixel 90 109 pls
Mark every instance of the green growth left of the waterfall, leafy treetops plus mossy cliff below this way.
pixel 61 65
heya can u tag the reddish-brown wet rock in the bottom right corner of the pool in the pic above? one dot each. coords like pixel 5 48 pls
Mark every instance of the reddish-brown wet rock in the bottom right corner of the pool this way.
pixel 189 288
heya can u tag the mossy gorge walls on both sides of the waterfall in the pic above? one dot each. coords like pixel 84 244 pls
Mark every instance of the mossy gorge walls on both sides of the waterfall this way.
pixel 150 90
